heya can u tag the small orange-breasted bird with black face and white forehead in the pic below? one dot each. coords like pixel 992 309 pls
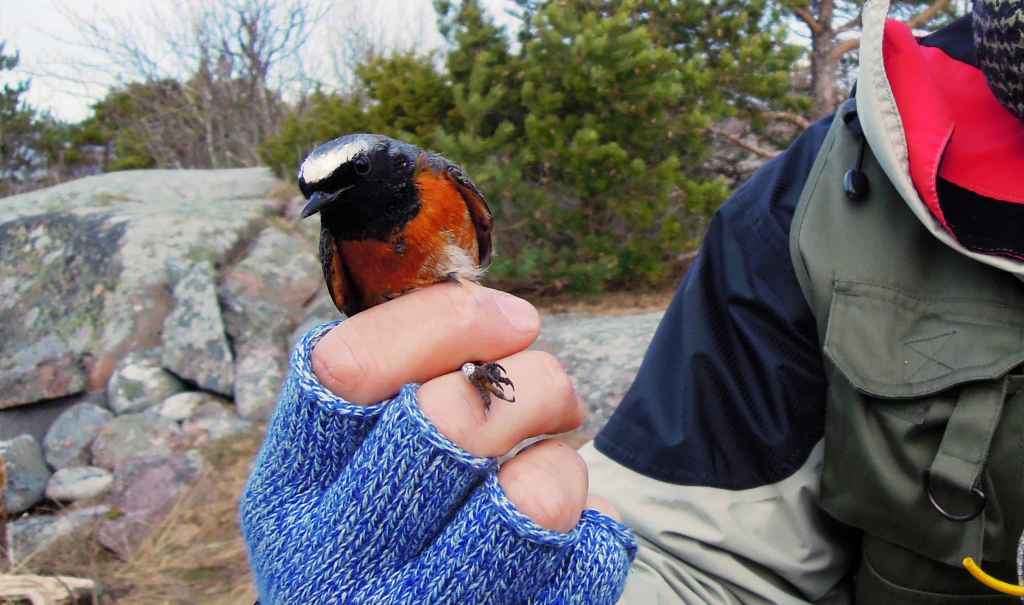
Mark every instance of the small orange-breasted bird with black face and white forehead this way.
pixel 395 219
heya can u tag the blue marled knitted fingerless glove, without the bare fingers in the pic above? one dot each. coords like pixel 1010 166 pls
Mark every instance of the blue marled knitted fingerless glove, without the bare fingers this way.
pixel 357 504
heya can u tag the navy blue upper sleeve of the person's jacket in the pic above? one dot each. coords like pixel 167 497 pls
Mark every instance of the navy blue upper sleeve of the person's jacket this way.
pixel 732 392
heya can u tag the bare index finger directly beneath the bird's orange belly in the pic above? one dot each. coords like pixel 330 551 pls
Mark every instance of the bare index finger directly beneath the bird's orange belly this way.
pixel 420 336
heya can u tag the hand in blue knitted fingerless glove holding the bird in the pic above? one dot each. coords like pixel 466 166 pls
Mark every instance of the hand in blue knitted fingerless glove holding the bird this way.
pixel 357 502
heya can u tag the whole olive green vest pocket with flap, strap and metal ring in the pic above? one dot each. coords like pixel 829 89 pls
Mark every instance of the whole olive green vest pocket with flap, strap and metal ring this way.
pixel 918 387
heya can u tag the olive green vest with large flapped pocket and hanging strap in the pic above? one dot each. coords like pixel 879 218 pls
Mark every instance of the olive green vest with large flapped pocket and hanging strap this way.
pixel 923 349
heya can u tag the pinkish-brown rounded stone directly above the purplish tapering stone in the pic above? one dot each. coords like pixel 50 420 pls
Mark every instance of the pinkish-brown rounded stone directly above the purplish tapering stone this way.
pixel 135 436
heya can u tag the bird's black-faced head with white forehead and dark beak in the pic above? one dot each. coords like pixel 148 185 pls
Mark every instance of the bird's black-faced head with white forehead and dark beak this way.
pixel 364 184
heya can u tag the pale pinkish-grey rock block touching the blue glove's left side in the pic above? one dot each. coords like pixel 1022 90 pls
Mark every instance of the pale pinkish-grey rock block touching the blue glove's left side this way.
pixel 261 372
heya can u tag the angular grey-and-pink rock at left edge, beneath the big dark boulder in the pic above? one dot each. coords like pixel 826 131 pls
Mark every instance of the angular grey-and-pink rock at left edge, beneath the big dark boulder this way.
pixel 44 370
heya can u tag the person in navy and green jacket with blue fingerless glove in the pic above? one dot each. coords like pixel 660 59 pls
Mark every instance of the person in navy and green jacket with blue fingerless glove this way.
pixel 831 411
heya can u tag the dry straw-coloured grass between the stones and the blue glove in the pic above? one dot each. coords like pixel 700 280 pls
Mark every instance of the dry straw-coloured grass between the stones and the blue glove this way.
pixel 196 555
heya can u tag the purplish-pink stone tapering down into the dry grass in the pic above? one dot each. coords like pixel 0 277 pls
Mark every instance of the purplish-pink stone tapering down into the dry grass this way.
pixel 145 491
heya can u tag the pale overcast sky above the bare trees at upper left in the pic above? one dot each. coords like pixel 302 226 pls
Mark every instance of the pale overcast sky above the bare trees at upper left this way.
pixel 49 40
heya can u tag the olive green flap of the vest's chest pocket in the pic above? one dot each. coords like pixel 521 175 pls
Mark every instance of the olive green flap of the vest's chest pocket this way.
pixel 890 344
